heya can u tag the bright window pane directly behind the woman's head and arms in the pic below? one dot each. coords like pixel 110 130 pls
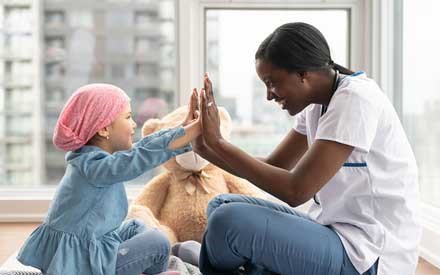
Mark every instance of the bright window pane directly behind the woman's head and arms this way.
pixel 232 37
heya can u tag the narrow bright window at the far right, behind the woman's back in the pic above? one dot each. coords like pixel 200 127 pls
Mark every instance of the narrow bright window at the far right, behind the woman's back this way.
pixel 421 86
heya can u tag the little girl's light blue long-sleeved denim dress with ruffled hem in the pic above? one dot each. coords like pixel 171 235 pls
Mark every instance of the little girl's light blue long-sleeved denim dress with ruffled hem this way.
pixel 81 233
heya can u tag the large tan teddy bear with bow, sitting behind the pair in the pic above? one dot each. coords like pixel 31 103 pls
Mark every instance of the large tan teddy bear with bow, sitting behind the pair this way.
pixel 175 201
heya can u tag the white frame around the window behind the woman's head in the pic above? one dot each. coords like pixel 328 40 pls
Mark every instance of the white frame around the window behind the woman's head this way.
pixel 193 26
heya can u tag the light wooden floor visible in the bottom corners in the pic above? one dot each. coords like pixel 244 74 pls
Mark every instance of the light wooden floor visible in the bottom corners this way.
pixel 12 236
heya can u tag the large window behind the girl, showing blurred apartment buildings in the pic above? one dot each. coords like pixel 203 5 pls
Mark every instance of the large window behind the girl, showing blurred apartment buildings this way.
pixel 130 44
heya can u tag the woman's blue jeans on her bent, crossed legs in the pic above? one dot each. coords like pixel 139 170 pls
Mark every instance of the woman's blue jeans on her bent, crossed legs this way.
pixel 268 238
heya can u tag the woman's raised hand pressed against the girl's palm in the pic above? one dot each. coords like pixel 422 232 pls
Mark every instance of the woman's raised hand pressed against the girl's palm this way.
pixel 209 117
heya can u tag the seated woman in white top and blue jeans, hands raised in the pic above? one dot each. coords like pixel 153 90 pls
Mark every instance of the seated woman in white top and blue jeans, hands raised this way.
pixel 348 152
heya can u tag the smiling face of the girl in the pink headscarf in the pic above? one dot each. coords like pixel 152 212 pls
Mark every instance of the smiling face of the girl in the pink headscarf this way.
pixel 121 131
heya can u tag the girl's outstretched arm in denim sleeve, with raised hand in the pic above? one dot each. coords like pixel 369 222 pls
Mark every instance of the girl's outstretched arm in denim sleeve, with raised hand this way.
pixel 151 151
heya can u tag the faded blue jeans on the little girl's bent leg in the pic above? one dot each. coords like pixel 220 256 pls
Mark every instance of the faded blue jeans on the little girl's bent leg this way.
pixel 143 250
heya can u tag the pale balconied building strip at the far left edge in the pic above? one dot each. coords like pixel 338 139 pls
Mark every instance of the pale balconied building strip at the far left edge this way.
pixel 20 142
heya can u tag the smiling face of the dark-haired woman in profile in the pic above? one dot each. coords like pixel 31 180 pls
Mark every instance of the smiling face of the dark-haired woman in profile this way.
pixel 287 89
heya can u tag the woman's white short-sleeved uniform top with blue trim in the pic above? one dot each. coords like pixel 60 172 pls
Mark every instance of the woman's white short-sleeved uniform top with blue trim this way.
pixel 372 200
